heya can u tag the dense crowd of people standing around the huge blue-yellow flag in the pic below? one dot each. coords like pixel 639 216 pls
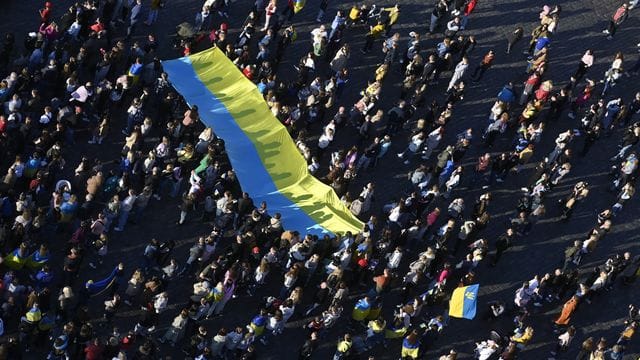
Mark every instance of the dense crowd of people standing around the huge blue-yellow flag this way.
pixel 93 75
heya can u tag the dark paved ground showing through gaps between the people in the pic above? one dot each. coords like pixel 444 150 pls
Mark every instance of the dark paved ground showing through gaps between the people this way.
pixel 579 29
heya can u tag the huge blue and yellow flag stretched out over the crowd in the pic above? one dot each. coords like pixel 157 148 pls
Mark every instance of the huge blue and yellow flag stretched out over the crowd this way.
pixel 267 163
